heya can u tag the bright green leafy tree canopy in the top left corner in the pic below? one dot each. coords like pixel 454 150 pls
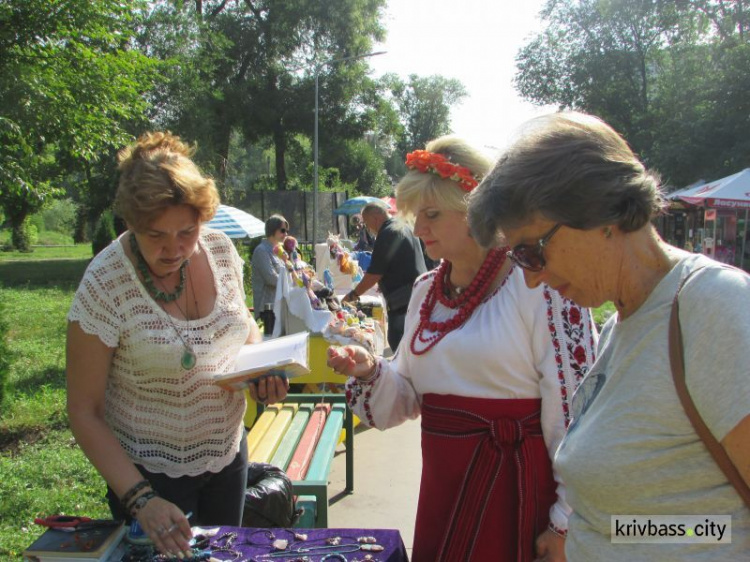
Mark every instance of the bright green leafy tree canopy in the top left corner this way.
pixel 70 84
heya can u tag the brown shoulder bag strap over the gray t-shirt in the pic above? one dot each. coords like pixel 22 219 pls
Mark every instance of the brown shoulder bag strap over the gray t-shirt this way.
pixel 677 362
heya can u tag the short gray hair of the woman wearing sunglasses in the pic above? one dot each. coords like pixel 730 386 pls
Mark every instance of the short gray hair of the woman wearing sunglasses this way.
pixel 570 168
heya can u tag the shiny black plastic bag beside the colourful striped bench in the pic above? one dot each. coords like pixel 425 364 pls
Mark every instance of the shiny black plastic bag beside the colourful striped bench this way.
pixel 269 498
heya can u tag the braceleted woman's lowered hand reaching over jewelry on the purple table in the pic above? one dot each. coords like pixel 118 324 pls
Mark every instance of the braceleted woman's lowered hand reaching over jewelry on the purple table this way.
pixel 166 526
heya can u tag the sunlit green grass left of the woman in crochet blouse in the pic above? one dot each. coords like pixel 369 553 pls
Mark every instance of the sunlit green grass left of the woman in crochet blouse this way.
pixel 43 472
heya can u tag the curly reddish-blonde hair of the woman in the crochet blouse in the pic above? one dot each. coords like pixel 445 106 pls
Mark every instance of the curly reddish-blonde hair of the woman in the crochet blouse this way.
pixel 157 172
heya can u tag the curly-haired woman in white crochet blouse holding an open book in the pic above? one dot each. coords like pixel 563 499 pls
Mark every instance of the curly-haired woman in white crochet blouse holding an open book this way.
pixel 158 313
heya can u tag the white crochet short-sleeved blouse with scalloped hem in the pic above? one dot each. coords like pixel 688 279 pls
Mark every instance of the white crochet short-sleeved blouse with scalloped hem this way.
pixel 167 419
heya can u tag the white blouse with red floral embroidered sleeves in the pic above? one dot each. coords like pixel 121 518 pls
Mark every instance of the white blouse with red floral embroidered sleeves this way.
pixel 519 343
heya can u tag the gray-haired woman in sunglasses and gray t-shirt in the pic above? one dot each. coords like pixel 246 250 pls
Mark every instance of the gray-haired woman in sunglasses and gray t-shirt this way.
pixel 576 205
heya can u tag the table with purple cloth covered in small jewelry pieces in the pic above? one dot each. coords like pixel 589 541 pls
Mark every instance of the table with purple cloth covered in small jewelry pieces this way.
pixel 253 544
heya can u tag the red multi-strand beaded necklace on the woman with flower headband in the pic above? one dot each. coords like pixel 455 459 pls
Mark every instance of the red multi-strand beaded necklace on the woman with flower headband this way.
pixel 466 302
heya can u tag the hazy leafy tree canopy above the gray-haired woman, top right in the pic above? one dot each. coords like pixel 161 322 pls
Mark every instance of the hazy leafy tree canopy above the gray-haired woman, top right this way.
pixel 665 74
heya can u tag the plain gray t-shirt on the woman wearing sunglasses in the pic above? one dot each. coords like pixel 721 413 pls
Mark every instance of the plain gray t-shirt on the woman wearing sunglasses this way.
pixel 631 449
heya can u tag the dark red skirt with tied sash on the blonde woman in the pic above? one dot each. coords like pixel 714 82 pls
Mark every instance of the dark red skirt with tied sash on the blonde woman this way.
pixel 487 483
